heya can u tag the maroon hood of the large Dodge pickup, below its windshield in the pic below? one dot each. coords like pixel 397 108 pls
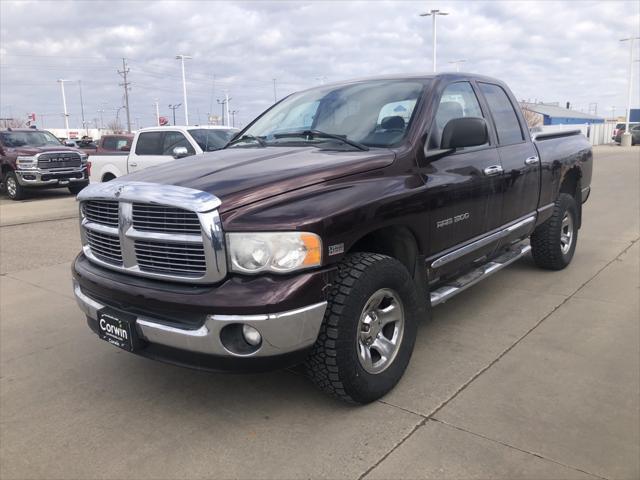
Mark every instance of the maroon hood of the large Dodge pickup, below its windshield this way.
pixel 240 176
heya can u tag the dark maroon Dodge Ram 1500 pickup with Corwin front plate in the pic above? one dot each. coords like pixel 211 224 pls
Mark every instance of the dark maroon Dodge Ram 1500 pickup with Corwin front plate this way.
pixel 328 228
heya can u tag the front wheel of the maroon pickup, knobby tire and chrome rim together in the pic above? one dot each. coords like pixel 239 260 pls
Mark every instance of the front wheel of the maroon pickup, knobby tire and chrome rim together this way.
pixel 367 336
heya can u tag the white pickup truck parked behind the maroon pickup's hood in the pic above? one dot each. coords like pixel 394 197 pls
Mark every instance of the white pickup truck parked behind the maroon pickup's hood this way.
pixel 156 145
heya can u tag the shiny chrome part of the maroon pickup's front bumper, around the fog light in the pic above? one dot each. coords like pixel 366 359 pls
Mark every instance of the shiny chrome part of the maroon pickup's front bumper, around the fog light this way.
pixel 281 333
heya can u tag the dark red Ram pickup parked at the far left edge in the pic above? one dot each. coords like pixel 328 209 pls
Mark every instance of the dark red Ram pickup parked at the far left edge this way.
pixel 31 158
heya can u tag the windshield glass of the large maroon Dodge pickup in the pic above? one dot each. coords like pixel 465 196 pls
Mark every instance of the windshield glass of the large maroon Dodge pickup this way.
pixel 375 113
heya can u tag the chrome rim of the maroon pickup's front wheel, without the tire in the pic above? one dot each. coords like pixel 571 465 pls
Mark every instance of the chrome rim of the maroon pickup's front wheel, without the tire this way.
pixel 380 331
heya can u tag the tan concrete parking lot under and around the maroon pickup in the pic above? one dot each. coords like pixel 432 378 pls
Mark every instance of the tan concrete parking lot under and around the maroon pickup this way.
pixel 530 374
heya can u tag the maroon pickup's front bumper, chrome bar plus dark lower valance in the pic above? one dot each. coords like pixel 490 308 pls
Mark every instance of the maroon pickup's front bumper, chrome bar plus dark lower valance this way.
pixel 283 335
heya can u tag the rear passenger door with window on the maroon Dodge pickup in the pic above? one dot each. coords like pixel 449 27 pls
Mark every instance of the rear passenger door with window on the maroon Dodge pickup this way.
pixel 518 155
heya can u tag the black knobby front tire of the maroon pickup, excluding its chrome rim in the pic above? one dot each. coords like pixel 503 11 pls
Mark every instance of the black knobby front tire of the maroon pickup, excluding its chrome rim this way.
pixel 334 363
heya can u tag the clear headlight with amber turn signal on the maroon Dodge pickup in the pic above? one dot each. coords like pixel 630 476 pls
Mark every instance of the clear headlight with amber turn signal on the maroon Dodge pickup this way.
pixel 279 252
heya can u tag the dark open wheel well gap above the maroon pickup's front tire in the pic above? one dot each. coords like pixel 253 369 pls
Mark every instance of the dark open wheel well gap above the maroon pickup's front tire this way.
pixel 396 241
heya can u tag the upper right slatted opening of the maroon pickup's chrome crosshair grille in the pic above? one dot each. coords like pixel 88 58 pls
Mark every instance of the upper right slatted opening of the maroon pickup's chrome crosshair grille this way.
pixel 160 218
